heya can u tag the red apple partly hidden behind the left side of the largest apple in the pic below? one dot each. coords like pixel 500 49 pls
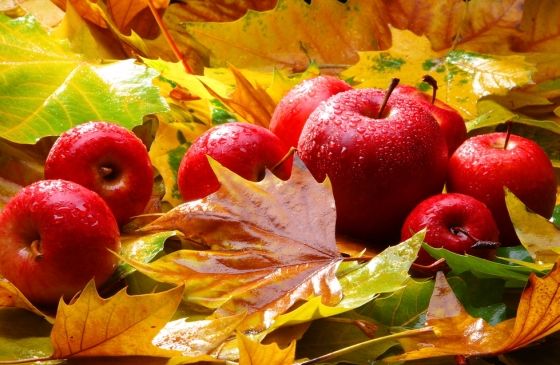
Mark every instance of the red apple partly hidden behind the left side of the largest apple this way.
pixel 293 110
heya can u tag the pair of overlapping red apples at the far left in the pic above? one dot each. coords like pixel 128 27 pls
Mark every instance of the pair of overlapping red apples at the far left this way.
pixel 57 234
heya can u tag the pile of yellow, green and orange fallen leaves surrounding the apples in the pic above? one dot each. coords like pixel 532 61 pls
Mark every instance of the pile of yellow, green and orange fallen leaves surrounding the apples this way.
pixel 255 273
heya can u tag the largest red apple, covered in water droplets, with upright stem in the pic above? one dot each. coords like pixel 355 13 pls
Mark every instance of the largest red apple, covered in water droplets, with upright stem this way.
pixel 380 167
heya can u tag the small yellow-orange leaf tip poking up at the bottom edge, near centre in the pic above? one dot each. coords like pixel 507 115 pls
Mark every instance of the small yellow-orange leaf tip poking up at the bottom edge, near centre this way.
pixel 251 352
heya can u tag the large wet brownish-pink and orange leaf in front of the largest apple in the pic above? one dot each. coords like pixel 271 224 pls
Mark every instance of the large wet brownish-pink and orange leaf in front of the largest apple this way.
pixel 259 260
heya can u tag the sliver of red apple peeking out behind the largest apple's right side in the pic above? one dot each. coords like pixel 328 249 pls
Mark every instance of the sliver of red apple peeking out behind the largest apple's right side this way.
pixel 451 122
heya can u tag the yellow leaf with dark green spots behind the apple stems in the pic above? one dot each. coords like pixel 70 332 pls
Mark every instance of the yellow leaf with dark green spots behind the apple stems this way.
pixel 463 77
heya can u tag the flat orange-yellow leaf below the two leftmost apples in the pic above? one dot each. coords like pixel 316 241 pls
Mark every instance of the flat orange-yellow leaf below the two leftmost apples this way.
pixel 122 325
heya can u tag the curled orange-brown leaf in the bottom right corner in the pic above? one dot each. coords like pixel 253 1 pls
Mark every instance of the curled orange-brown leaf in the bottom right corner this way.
pixel 457 333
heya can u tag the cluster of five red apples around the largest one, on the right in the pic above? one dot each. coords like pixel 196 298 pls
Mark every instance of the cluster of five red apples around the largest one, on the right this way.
pixel 389 156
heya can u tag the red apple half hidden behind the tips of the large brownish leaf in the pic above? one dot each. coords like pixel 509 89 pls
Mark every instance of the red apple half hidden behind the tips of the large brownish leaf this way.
pixel 246 149
